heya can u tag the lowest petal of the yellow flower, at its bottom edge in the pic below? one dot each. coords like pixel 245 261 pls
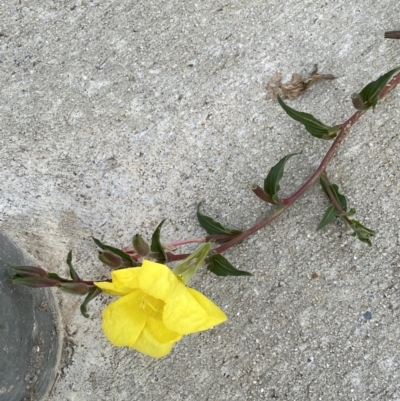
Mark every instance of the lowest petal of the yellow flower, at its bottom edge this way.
pixel 149 344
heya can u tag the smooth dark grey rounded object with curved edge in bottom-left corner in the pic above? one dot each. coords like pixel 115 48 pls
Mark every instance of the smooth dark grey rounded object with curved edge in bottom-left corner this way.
pixel 29 339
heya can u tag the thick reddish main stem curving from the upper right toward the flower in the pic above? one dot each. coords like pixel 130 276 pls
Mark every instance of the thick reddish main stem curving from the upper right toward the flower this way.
pixel 287 202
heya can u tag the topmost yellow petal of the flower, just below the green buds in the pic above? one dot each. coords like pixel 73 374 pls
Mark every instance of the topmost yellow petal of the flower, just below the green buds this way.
pixel 158 280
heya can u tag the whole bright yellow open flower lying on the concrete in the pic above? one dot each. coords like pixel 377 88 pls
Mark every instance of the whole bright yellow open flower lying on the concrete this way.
pixel 155 309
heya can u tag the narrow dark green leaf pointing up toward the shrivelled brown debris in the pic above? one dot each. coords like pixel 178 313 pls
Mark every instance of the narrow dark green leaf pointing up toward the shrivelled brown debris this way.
pixel 311 124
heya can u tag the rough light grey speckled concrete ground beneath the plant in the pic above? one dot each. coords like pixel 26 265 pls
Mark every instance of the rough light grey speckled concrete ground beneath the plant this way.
pixel 117 114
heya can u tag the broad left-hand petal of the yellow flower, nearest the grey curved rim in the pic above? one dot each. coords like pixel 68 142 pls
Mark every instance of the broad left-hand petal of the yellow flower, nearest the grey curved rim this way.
pixel 124 319
